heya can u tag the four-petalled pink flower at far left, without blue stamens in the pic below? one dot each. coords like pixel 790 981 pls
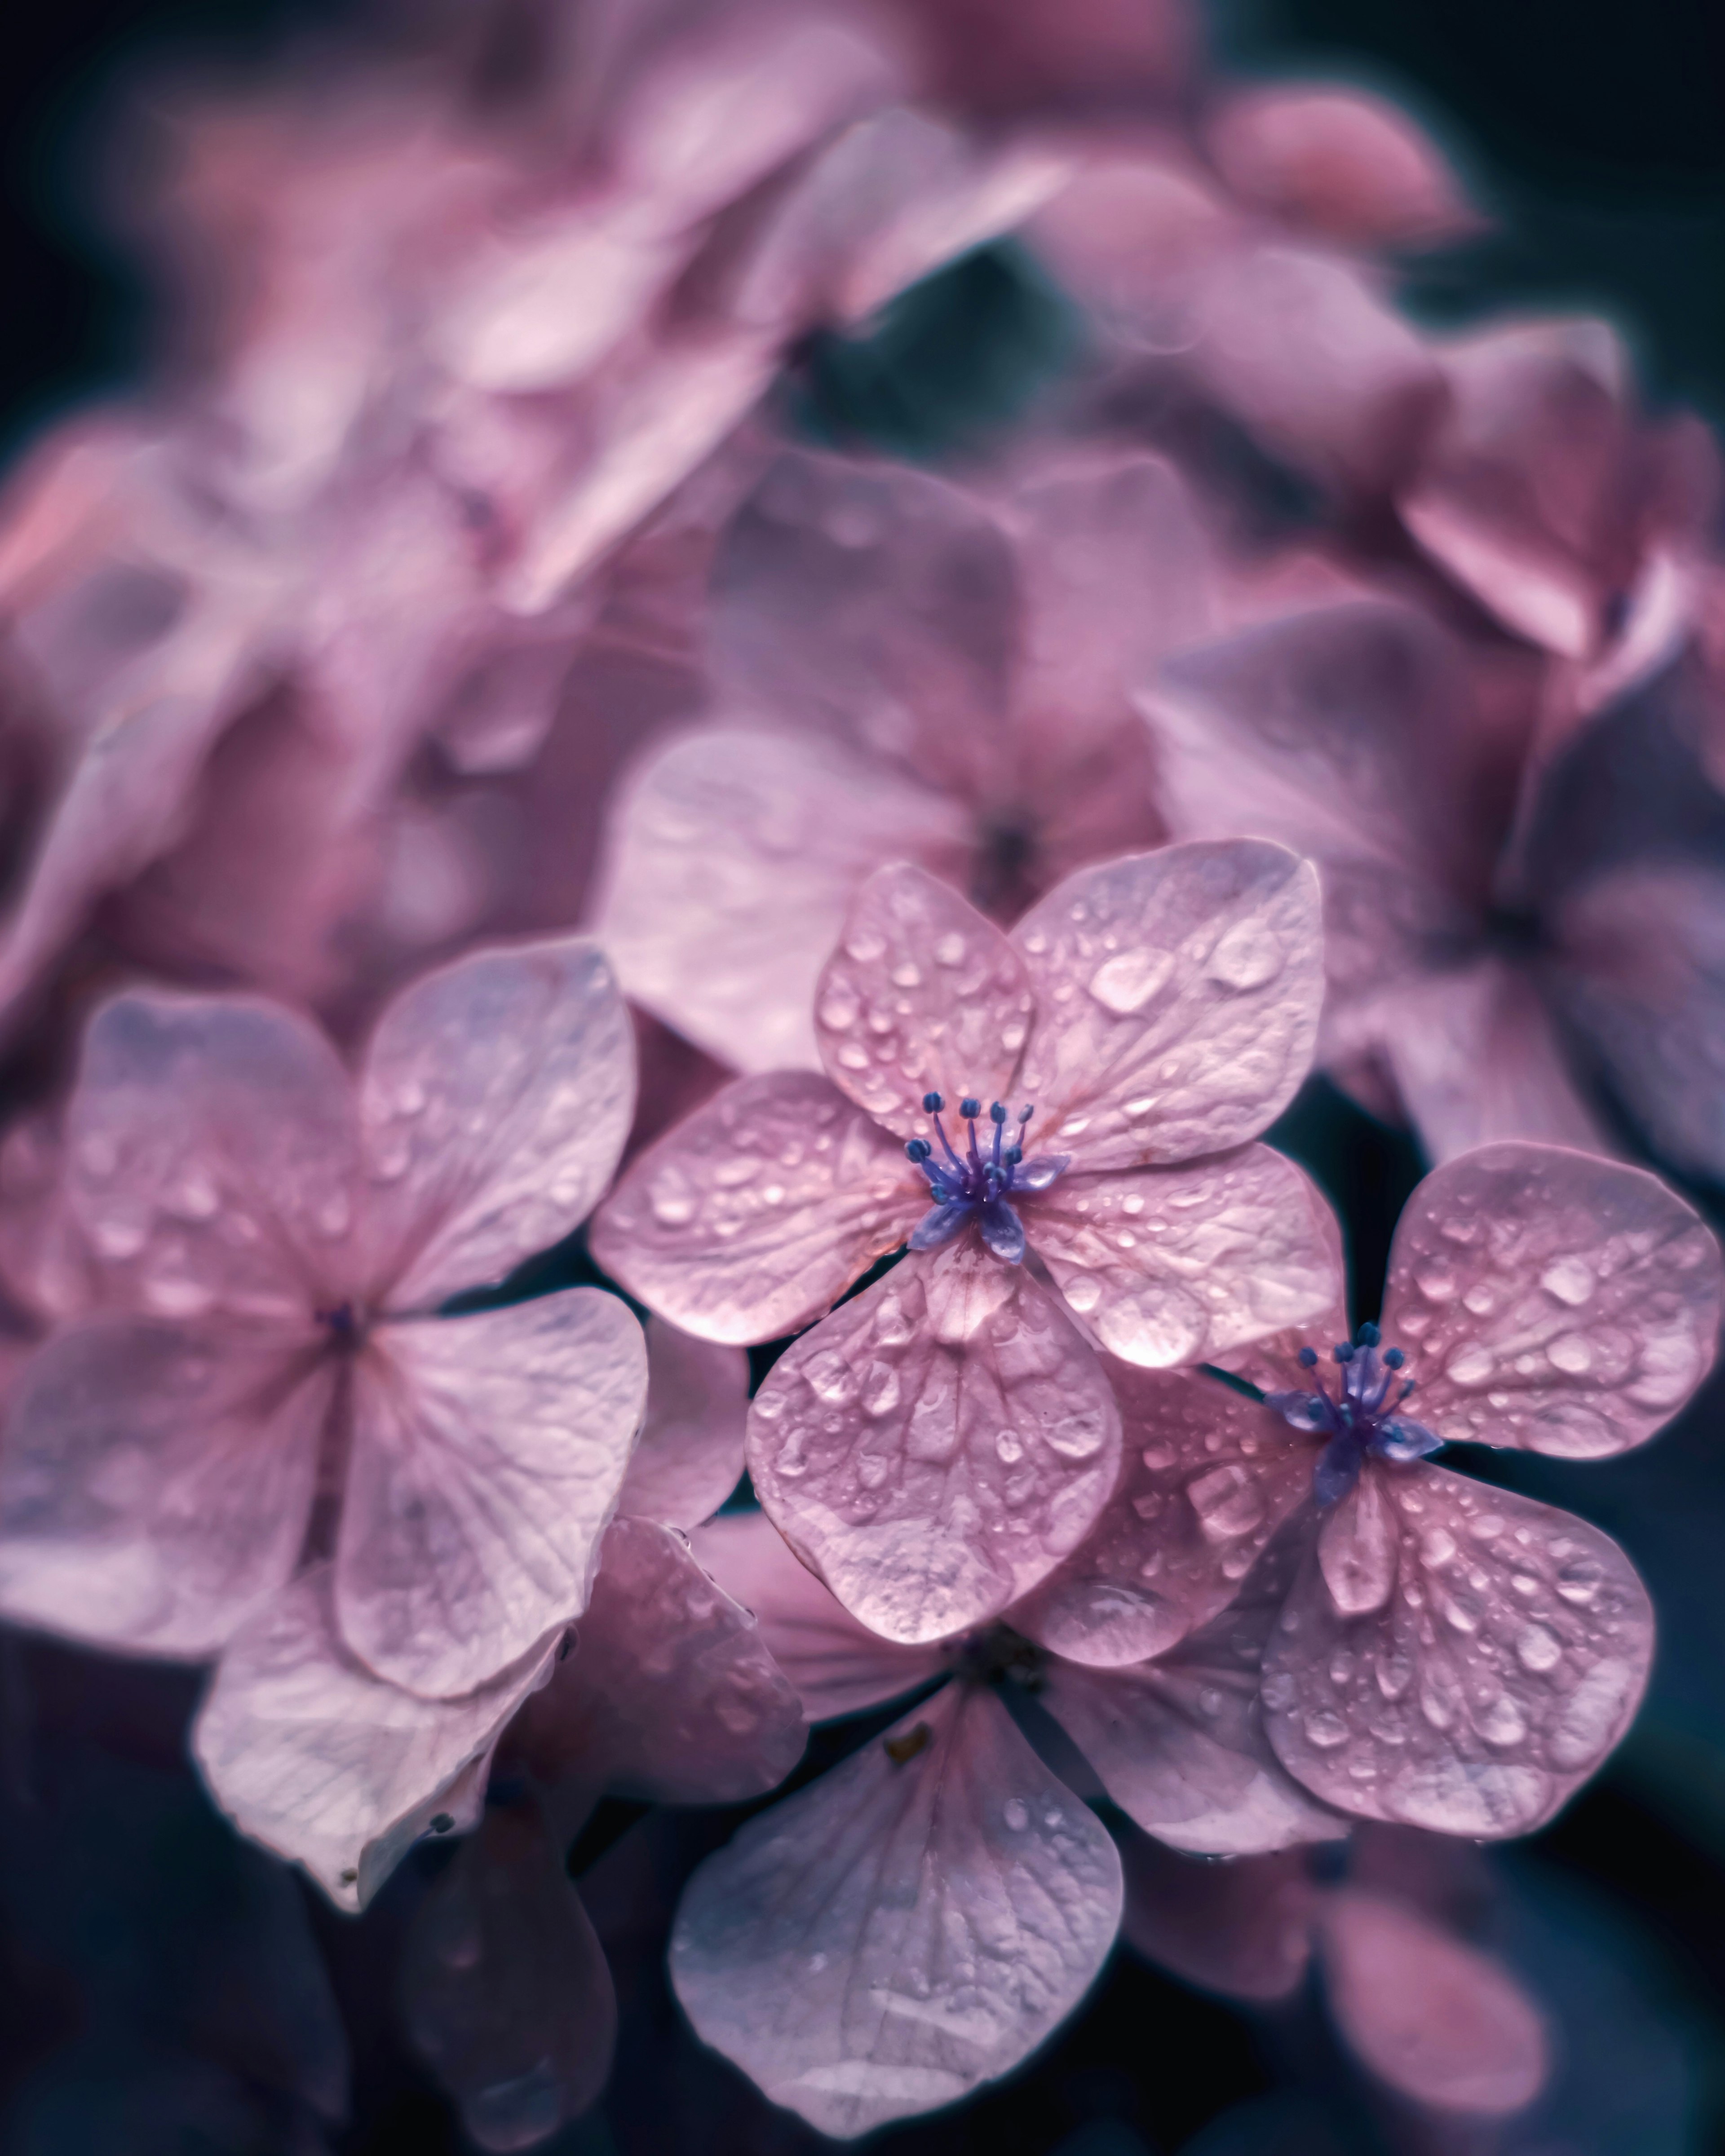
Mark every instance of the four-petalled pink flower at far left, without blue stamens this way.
pixel 268 1374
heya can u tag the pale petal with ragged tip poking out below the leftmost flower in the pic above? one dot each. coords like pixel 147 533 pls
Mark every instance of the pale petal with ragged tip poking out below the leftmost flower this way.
pixel 331 1767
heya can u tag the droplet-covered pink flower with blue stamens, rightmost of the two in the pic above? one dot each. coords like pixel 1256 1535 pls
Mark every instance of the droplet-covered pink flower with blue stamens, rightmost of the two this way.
pixel 1448 1657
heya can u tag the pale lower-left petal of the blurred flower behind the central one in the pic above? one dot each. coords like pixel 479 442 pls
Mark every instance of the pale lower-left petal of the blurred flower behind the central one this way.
pixel 734 857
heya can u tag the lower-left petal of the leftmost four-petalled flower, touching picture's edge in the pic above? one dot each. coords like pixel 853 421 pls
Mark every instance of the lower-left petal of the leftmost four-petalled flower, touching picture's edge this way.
pixel 156 1480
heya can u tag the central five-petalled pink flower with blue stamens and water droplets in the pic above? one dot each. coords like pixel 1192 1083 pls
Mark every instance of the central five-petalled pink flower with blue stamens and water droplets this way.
pixel 939 1443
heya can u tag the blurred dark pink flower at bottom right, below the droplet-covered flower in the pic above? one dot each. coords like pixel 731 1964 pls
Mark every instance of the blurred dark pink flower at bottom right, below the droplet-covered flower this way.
pixel 1435 2017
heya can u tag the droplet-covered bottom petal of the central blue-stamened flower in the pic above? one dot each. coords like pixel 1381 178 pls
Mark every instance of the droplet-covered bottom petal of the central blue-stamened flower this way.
pixel 937 1446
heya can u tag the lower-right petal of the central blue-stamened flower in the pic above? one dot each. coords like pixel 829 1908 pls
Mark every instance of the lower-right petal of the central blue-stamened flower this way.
pixel 1189 1262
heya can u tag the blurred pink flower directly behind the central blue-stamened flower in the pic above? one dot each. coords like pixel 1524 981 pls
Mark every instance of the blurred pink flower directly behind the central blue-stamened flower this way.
pixel 900 672
